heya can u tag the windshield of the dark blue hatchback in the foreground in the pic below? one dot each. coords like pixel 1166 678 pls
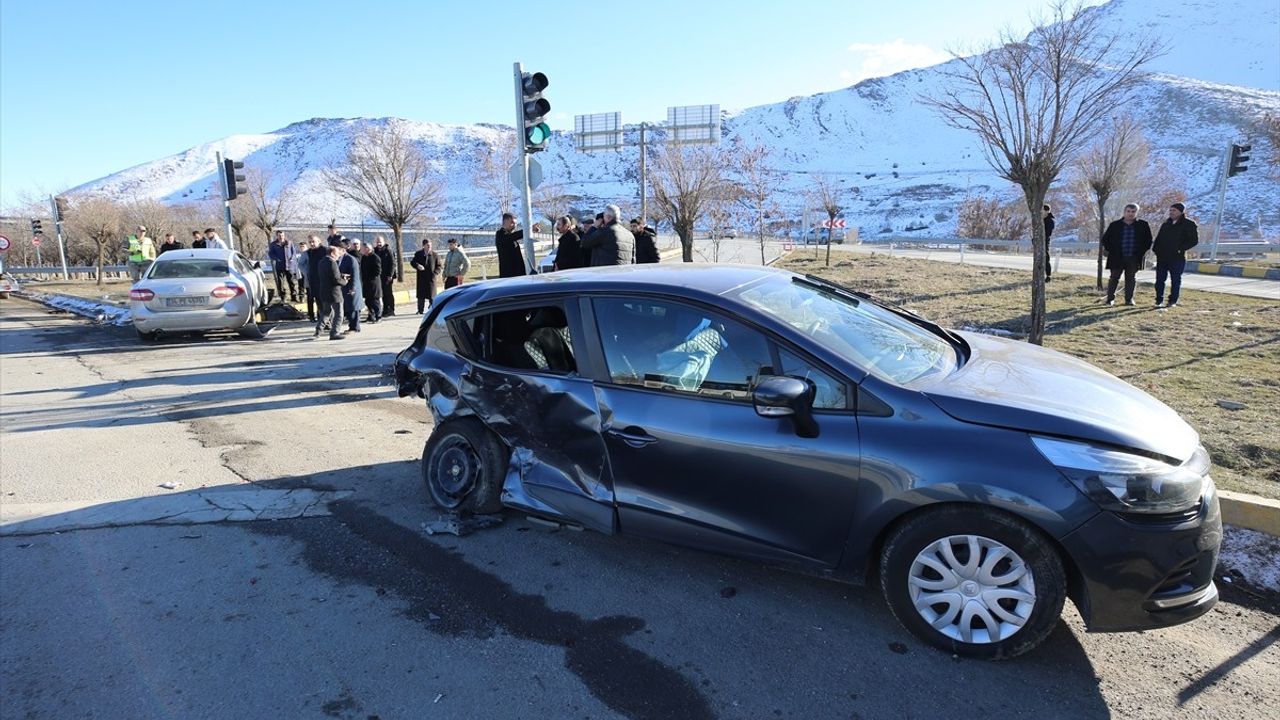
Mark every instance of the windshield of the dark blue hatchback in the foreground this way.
pixel 884 344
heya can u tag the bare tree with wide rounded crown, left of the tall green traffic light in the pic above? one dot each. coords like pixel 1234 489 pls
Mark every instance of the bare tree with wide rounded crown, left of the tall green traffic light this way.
pixel 388 176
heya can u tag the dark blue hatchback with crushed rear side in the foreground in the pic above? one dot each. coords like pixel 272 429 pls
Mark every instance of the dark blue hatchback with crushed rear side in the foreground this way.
pixel 765 414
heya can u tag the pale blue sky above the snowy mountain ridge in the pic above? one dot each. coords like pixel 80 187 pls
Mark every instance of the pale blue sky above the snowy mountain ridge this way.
pixel 89 88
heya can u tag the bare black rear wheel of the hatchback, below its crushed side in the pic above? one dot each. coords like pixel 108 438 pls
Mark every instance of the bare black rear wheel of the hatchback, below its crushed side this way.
pixel 464 467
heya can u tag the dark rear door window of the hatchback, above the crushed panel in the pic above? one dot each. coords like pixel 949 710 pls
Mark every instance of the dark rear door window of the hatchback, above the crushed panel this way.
pixel 523 339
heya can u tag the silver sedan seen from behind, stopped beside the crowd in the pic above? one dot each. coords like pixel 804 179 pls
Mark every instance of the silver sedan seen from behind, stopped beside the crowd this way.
pixel 199 290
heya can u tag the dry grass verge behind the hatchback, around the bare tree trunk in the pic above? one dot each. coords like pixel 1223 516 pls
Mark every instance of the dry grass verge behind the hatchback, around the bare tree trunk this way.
pixel 1212 348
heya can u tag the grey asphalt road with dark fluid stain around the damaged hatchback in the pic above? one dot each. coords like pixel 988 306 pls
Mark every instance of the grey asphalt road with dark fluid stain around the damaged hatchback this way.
pixel 359 614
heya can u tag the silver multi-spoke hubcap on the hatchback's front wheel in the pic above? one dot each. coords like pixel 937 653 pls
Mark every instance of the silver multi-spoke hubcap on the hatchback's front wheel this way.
pixel 972 589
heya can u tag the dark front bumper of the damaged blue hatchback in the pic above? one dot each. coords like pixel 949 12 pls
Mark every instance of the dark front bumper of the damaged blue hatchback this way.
pixel 1137 575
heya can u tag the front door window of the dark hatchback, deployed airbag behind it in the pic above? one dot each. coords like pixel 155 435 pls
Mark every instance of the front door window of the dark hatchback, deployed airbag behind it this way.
pixel 665 345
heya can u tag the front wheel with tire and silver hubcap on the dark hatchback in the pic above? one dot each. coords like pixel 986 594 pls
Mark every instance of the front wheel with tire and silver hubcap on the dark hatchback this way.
pixel 973 581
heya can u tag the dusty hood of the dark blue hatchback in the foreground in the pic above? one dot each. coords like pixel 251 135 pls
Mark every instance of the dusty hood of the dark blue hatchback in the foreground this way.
pixel 1022 386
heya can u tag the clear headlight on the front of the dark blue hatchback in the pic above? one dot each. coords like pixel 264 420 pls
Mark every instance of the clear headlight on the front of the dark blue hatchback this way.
pixel 1127 482
